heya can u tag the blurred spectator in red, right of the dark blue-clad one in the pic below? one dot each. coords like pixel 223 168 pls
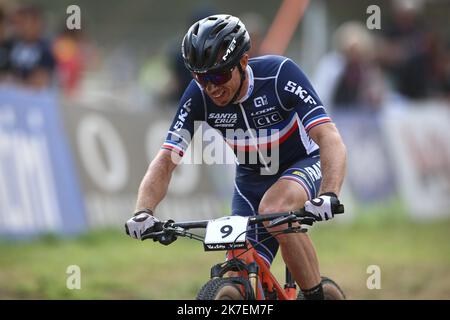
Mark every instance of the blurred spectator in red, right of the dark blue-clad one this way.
pixel 70 59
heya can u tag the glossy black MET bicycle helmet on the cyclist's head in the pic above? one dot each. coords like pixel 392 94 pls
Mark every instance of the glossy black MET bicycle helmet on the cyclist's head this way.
pixel 215 43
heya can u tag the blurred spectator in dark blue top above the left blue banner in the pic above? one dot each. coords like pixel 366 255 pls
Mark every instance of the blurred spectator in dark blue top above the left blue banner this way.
pixel 32 61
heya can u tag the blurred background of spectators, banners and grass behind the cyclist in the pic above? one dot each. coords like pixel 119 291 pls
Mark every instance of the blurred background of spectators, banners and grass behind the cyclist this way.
pixel 87 93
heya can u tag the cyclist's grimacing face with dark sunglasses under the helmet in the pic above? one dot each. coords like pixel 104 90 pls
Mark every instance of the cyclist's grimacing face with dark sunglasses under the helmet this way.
pixel 222 94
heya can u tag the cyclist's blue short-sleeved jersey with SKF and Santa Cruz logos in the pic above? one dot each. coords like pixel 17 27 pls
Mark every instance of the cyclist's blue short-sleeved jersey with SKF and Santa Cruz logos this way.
pixel 276 114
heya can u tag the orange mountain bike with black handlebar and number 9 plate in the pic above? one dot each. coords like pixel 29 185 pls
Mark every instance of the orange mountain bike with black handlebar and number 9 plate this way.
pixel 244 275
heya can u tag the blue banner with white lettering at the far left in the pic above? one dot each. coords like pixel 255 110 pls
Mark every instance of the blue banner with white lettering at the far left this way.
pixel 39 188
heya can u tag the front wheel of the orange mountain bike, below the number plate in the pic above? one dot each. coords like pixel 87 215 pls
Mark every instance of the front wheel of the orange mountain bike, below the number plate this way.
pixel 221 289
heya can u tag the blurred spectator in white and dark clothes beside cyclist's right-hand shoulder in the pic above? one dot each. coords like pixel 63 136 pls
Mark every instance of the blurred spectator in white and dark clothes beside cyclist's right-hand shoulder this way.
pixel 348 77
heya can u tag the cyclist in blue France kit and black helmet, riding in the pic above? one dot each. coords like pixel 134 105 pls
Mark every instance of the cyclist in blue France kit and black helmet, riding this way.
pixel 271 93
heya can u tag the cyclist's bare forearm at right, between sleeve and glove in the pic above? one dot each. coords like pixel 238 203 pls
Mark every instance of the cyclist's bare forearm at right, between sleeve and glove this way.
pixel 333 156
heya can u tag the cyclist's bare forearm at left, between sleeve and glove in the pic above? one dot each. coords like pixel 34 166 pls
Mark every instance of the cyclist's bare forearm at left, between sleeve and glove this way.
pixel 155 183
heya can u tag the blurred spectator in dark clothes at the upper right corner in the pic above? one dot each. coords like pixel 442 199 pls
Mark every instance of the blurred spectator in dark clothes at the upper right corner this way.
pixel 408 53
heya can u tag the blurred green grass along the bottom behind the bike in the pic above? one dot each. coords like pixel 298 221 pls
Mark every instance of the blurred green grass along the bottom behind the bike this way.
pixel 414 261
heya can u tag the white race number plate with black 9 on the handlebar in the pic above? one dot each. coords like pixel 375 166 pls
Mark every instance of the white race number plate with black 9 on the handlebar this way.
pixel 226 233
